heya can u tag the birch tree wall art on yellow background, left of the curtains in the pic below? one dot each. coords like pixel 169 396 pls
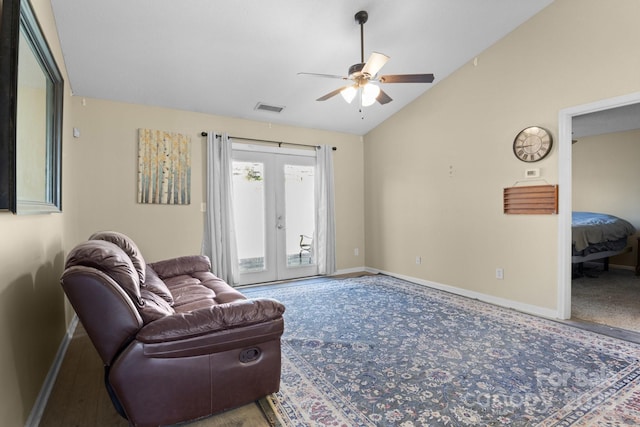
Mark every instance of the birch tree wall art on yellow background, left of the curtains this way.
pixel 164 167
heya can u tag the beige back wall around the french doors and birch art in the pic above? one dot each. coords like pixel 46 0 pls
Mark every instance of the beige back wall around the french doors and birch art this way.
pixel 101 177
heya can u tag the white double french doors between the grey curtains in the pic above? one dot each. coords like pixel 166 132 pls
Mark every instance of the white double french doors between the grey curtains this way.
pixel 274 212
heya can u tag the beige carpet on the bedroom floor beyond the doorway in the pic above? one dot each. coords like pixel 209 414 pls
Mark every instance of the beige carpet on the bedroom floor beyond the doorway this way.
pixel 607 297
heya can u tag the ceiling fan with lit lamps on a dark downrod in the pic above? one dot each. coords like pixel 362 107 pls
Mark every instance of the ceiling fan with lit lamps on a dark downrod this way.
pixel 364 73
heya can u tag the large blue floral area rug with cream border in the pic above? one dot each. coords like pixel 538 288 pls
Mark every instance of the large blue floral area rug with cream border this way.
pixel 379 351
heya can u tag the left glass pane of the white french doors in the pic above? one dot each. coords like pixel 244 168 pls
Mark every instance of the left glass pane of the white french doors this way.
pixel 248 205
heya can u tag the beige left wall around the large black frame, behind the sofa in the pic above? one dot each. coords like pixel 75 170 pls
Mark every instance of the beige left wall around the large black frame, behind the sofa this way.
pixel 32 308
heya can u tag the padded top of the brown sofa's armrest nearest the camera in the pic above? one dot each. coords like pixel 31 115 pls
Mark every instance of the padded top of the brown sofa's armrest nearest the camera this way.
pixel 216 318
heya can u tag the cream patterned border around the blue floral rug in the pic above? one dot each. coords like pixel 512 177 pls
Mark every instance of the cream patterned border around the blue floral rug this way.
pixel 582 411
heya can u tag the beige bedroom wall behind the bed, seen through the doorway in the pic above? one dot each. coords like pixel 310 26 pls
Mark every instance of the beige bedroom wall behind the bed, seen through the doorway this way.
pixel 605 177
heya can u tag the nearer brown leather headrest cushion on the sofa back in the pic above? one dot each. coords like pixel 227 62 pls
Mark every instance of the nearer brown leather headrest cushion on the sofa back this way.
pixel 111 260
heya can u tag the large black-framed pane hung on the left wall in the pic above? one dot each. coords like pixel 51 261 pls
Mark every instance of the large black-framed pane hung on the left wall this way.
pixel 31 102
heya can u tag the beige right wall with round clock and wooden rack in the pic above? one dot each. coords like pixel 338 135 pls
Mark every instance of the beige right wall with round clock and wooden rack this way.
pixel 435 171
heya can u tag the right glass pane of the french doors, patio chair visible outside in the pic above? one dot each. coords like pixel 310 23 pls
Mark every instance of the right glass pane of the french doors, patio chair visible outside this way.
pixel 300 214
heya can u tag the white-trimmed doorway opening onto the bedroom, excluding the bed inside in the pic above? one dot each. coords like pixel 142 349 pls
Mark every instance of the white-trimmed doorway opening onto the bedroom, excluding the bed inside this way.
pixel 599 145
